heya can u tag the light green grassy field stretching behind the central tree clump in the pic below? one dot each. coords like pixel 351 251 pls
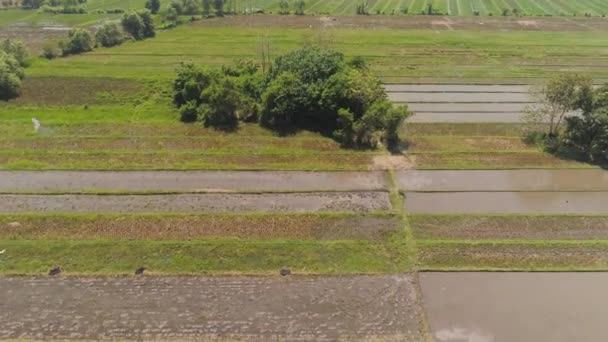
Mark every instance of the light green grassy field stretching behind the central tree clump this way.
pixel 419 56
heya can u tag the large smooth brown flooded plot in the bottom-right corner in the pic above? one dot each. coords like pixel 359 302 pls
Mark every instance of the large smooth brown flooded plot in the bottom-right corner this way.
pixel 524 307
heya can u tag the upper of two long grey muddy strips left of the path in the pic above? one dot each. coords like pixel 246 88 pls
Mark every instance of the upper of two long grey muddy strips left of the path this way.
pixel 214 181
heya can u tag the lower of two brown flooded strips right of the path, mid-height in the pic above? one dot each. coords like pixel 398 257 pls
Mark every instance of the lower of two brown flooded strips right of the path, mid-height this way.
pixel 507 202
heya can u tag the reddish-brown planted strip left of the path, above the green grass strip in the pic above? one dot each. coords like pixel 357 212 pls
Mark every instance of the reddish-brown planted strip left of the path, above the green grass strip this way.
pixel 334 226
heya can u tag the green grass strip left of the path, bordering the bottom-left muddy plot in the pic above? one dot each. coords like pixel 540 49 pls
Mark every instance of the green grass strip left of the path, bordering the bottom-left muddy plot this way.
pixel 217 256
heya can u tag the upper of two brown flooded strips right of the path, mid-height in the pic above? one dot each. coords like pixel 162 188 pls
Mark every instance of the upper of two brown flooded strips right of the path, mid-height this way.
pixel 504 180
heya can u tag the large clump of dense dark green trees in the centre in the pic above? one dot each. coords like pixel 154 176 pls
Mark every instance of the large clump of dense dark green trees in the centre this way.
pixel 311 88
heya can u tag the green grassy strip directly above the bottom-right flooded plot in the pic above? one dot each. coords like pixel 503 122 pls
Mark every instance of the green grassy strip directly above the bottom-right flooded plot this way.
pixel 513 256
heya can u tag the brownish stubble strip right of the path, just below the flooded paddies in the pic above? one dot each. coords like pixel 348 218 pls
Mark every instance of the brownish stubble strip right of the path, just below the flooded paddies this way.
pixel 509 227
